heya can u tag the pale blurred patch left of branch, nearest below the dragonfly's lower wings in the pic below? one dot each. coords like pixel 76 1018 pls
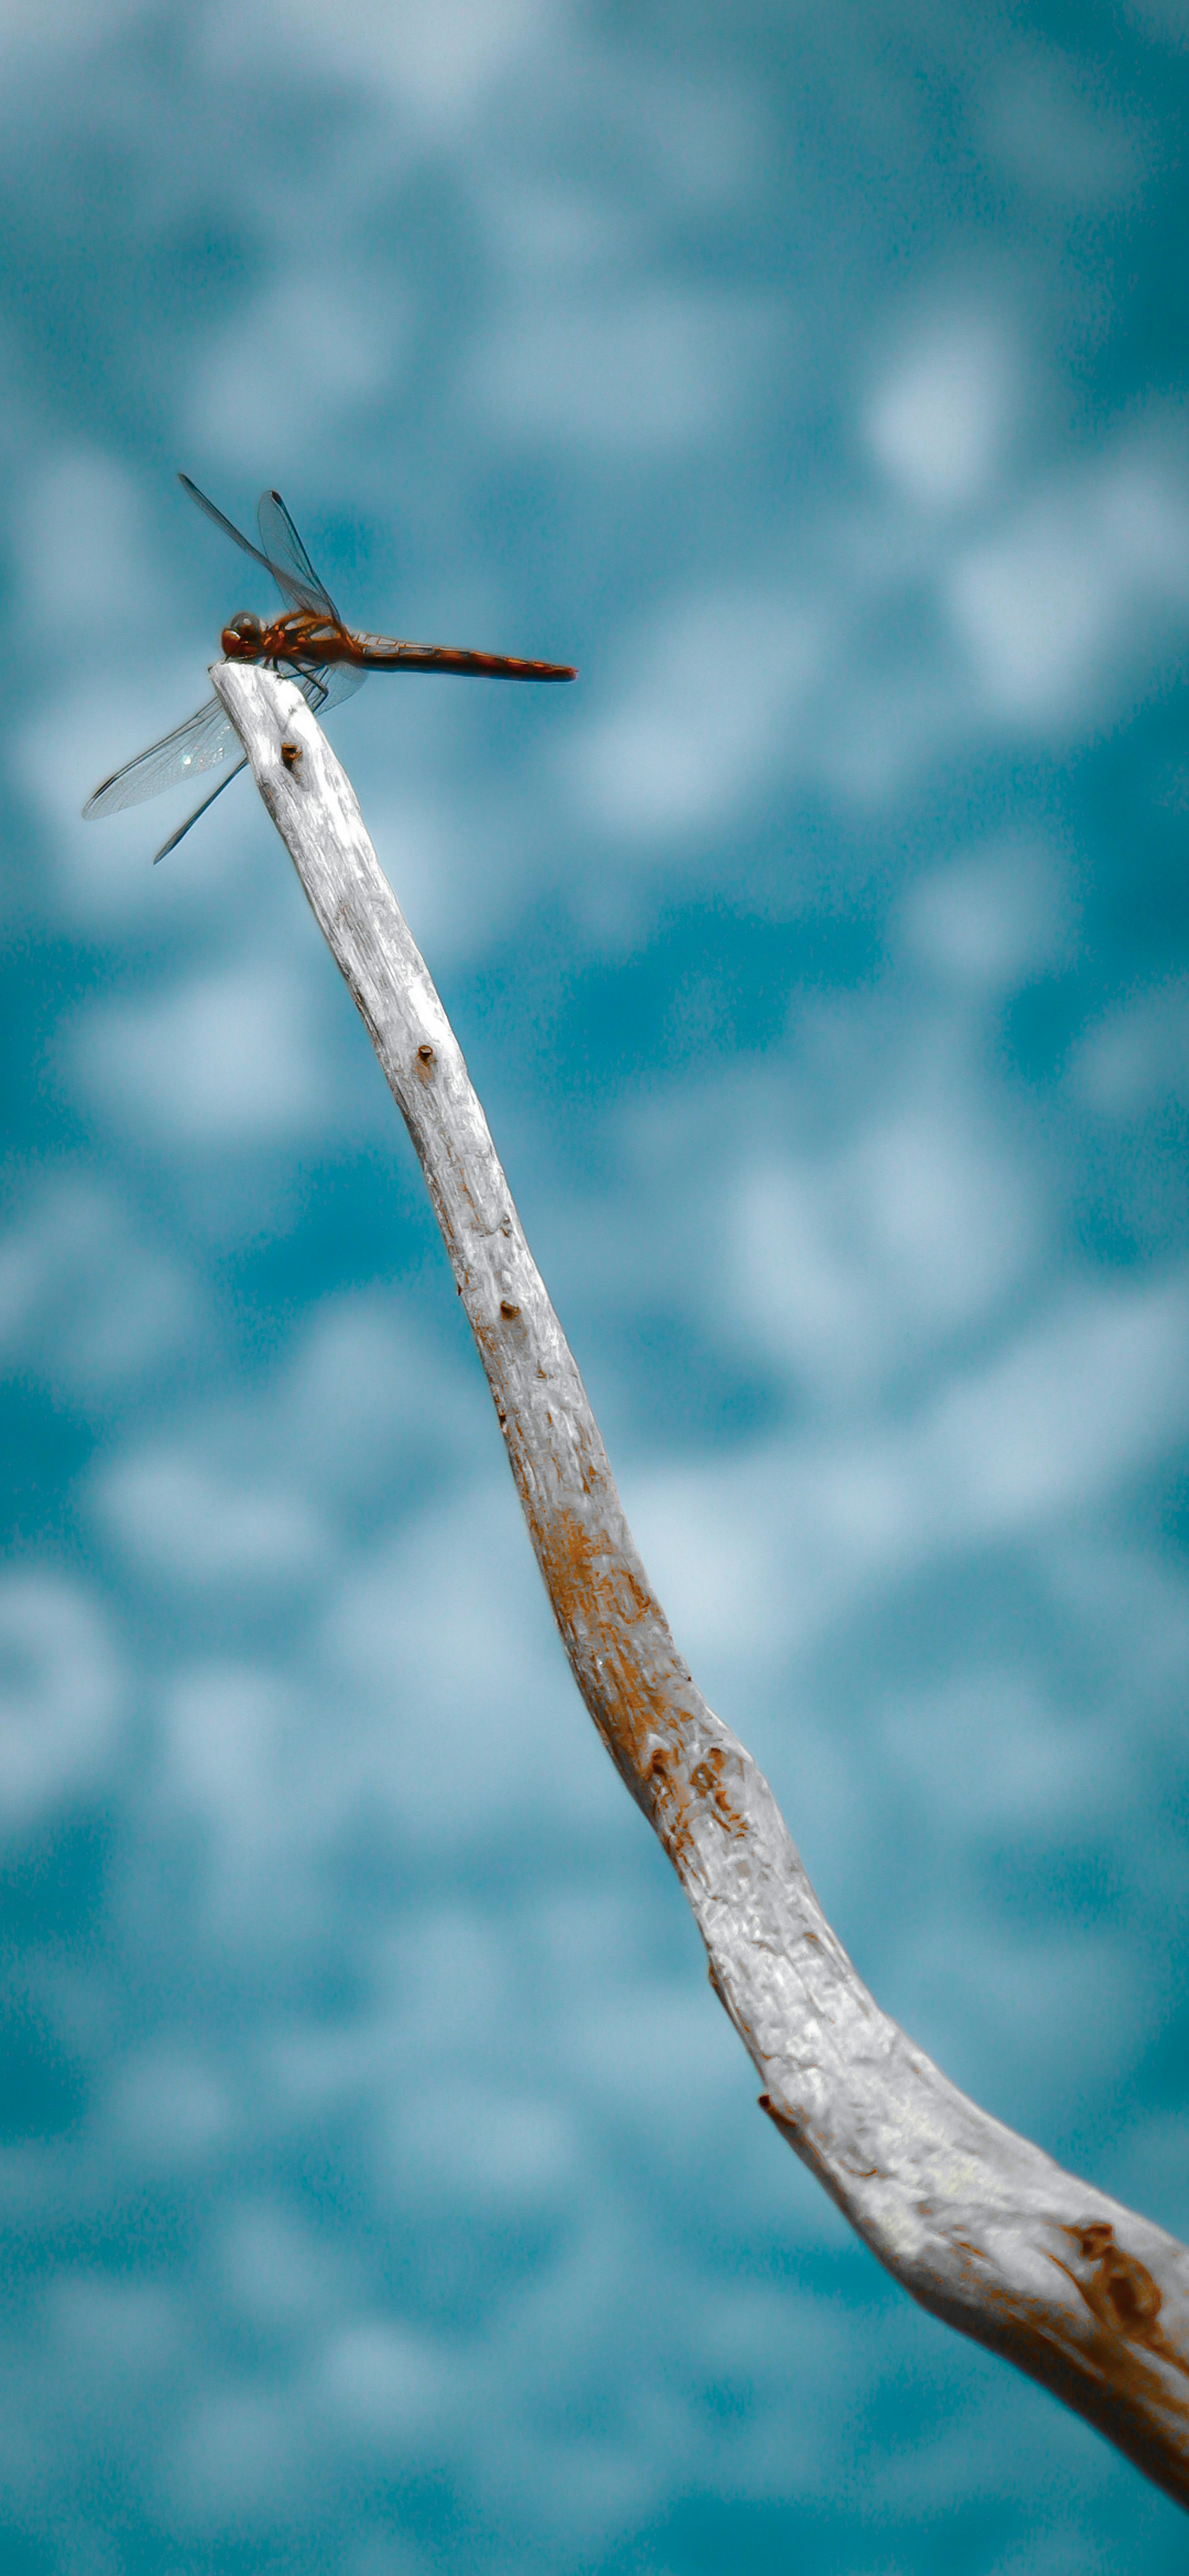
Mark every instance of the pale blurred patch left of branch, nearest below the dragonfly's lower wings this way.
pixel 228 1060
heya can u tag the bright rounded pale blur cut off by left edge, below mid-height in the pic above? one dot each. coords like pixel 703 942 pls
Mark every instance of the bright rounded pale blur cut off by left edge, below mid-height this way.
pixel 60 1691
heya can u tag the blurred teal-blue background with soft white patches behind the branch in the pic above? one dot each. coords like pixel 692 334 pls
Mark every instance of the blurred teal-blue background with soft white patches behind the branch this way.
pixel 382 2186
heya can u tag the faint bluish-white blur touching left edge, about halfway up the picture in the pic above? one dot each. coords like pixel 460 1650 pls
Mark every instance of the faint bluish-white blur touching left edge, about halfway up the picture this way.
pixel 84 1300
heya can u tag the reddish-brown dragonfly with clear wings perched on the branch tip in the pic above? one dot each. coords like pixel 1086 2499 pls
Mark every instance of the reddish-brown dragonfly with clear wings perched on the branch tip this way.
pixel 310 640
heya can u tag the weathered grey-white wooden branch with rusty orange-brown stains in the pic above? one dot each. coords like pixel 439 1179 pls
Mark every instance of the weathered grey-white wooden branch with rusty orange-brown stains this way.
pixel 974 2222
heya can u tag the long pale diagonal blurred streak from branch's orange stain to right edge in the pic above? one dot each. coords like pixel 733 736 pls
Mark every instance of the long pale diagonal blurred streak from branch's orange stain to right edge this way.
pixel 763 1555
